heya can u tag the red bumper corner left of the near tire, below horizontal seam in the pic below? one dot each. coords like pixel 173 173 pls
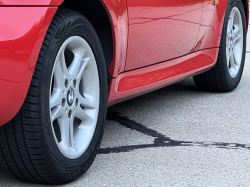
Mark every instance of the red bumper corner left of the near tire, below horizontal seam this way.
pixel 21 37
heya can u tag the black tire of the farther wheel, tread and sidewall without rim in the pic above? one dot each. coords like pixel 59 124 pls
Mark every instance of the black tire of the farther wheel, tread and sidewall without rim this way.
pixel 218 78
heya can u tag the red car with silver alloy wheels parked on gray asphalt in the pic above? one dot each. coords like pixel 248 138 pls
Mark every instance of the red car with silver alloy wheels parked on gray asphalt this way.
pixel 64 62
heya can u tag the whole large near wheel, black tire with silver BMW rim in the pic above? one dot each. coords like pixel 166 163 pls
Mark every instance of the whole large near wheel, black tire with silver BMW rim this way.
pixel 57 133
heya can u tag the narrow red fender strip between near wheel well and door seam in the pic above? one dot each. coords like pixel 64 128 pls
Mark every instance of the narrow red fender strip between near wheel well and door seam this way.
pixel 119 21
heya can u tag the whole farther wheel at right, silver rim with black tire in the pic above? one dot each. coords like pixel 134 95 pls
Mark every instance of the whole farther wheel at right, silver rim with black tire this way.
pixel 226 74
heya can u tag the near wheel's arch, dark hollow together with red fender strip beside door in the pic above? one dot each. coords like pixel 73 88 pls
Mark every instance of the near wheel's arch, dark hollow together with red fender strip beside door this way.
pixel 112 18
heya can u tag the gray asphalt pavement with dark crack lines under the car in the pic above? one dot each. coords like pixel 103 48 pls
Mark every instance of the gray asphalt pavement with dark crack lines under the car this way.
pixel 176 136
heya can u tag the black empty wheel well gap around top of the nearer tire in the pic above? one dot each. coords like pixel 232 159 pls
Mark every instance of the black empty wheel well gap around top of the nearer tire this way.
pixel 95 12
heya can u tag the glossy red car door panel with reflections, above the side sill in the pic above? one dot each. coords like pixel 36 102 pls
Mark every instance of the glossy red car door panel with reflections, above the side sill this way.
pixel 160 30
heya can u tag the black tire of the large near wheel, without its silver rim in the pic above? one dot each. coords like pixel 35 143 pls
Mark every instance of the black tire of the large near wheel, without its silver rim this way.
pixel 27 146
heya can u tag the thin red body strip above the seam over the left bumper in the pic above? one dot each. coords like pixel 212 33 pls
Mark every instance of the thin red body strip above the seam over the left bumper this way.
pixel 30 2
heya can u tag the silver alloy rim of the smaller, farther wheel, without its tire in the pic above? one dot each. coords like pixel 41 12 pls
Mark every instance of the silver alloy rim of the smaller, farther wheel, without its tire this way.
pixel 234 42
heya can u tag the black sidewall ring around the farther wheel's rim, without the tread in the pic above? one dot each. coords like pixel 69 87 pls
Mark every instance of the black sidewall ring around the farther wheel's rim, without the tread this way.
pixel 233 82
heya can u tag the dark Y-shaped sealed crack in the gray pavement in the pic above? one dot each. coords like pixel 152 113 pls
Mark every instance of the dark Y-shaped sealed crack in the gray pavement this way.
pixel 160 140
